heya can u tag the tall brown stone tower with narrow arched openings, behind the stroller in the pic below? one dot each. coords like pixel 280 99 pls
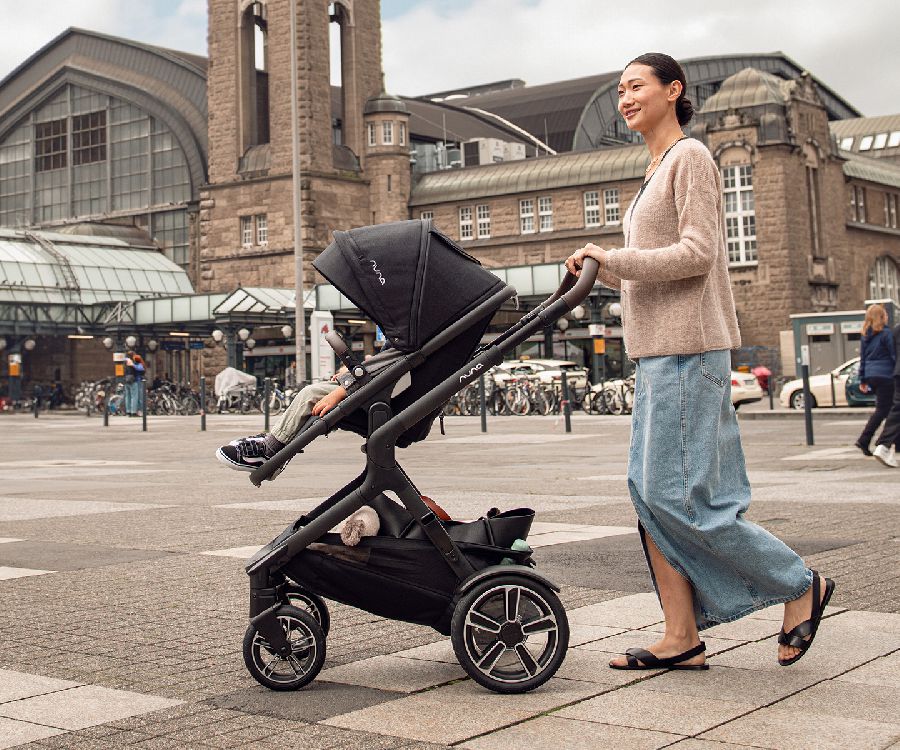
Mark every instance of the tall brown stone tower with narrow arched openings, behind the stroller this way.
pixel 246 216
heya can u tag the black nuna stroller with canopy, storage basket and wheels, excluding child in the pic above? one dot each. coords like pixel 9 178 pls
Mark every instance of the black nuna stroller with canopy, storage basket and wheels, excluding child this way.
pixel 472 581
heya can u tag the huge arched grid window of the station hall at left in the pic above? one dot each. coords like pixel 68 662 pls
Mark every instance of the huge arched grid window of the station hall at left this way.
pixel 82 155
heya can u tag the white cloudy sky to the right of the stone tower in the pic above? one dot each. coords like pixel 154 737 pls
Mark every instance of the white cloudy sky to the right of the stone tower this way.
pixel 848 46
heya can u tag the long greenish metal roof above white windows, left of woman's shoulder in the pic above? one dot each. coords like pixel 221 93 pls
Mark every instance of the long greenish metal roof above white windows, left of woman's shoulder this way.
pixel 545 173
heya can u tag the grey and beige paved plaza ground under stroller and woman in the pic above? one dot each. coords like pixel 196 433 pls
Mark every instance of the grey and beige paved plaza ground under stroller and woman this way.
pixel 124 599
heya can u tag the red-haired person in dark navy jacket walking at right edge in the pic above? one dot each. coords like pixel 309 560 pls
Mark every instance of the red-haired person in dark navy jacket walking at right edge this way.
pixel 878 358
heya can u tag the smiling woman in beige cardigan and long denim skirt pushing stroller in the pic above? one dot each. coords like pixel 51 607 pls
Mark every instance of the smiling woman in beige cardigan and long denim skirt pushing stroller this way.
pixel 686 471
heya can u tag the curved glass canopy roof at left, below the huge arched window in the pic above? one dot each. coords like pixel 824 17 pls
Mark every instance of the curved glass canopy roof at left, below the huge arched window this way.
pixel 50 268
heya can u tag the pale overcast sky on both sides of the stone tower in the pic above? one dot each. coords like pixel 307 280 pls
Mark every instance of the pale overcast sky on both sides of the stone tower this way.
pixel 430 45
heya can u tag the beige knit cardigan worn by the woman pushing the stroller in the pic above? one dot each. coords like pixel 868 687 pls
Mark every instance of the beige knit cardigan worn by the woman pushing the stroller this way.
pixel 673 271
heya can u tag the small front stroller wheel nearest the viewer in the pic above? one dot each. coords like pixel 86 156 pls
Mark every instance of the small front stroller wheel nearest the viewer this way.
pixel 307 652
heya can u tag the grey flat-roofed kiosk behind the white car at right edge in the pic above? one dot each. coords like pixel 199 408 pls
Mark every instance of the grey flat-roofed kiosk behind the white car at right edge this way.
pixel 833 337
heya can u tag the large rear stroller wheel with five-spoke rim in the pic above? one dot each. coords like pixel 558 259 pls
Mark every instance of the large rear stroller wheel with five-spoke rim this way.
pixel 510 633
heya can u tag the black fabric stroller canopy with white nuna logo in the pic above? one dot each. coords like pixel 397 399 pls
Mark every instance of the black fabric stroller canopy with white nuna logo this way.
pixel 406 276
